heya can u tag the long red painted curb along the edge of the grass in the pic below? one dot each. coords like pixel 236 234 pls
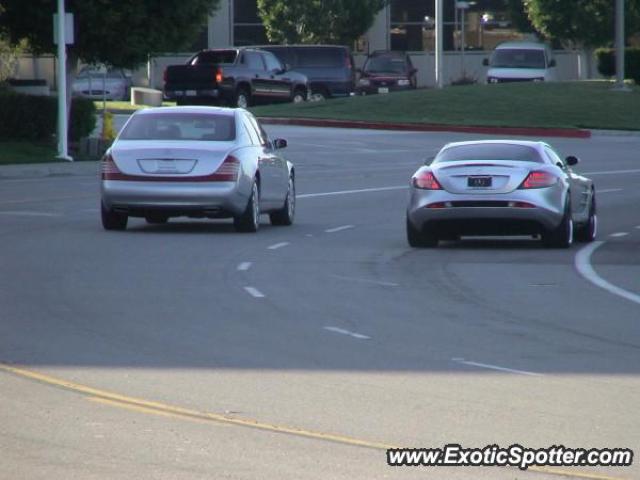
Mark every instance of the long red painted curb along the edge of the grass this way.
pixel 417 127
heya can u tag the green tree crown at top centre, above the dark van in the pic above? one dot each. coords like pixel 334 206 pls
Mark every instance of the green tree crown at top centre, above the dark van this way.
pixel 318 21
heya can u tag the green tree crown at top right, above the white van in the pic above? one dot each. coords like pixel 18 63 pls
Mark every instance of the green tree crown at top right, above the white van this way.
pixel 582 23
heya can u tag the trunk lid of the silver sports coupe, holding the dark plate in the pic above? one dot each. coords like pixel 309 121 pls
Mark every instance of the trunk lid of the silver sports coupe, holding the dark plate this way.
pixel 481 177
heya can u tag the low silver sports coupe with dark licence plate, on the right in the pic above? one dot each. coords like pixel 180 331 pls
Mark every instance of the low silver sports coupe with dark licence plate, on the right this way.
pixel 500 187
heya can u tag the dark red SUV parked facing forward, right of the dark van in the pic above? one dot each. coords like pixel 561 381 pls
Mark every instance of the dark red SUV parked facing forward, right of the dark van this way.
pixel 385 72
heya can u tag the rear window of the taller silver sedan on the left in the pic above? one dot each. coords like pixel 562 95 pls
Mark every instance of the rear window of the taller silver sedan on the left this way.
pixel 180 126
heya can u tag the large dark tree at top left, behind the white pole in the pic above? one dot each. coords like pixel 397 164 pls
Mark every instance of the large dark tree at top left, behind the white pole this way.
pixel 120 33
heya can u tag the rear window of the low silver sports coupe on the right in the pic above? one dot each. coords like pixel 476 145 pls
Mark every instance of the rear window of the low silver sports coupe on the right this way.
pixel 490 151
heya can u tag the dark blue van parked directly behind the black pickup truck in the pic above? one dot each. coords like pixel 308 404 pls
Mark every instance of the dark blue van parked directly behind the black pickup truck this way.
pixel 329 68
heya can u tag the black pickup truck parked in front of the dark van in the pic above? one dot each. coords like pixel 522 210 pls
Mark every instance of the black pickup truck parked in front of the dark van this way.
pixel 233 76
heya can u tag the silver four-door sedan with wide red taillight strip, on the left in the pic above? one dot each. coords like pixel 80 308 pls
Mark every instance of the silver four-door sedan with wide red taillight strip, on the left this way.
pixel 199 162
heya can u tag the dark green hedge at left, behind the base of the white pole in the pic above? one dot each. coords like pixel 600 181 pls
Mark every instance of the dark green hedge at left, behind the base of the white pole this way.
pixel 34 117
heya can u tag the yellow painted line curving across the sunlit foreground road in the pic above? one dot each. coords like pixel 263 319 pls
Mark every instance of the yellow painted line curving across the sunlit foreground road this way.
pixel 162 409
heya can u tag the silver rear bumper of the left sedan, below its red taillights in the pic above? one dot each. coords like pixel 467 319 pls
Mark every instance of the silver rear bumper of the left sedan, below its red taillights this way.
pixel 213 199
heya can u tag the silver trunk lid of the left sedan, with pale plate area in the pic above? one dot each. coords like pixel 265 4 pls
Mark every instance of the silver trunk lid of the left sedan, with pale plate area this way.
pixel 169 157
